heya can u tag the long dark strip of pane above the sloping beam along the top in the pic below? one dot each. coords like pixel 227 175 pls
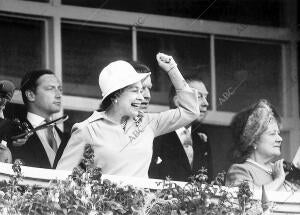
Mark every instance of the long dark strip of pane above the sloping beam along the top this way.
pixel 258 12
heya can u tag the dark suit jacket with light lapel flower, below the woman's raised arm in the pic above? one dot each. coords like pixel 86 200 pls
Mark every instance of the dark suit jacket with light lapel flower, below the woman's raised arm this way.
pixel 175 163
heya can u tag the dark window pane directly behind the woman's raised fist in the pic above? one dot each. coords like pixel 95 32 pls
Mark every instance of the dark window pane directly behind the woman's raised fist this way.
pixel 190 53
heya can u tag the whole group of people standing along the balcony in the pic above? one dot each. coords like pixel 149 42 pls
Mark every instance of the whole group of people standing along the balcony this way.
pixel 128 140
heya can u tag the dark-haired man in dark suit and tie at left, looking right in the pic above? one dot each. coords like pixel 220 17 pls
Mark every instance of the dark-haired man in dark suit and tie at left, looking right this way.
pixel 41 93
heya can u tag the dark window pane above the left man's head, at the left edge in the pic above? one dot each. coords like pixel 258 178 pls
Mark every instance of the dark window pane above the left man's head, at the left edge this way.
pixel 21 46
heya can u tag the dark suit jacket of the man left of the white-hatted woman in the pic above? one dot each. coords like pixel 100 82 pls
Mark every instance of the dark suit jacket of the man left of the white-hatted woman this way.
pixel 33 154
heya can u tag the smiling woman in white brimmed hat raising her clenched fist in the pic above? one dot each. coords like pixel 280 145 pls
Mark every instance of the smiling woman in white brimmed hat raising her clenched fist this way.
pixel 120 134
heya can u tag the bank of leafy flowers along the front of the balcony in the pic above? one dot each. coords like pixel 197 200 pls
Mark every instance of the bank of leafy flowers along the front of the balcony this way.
pixel 85 192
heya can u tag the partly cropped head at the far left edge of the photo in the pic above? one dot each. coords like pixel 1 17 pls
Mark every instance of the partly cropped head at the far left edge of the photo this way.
pixel 7 89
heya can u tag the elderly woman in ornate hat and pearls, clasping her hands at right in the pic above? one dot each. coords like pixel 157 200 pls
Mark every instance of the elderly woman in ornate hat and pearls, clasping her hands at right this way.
pixel 257 143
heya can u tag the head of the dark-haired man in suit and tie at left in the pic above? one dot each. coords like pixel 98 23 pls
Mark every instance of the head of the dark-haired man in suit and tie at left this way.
pixel 41 92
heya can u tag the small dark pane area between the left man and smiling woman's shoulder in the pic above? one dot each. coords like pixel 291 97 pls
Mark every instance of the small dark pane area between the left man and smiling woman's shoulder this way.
pixel 74 117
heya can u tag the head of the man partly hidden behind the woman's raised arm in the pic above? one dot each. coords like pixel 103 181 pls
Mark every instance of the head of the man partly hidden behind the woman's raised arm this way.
pixel 196 83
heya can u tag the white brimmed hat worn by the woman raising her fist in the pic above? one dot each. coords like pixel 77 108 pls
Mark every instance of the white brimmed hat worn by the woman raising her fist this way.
pixel 118 75
